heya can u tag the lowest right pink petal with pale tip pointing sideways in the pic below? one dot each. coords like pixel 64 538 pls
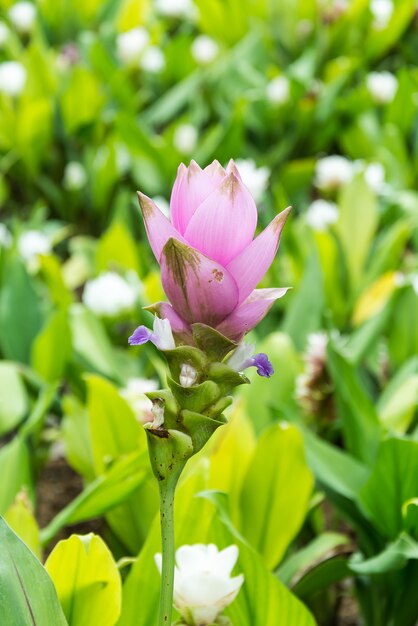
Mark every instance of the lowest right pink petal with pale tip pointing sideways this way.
pixel 249 313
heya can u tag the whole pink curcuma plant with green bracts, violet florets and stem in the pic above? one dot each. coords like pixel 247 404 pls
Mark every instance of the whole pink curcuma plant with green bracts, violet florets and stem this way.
pixel 210 266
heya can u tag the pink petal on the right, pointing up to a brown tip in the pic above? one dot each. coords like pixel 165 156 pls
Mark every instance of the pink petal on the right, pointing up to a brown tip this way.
pixel 249 267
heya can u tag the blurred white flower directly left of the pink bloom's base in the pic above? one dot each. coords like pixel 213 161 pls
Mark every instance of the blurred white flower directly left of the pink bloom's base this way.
pixel 109 295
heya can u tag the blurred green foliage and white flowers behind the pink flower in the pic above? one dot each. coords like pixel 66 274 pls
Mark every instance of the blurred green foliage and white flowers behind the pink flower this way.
pixel 317 101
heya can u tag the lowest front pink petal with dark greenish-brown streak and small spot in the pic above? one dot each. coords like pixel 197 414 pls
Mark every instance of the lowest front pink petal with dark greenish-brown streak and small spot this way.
pixel 199 289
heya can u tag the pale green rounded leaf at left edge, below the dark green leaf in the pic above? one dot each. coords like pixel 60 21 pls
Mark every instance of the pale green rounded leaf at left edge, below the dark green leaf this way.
pixel 13 397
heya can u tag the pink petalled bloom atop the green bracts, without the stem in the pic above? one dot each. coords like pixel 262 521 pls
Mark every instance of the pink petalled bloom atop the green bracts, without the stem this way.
pixel 210 262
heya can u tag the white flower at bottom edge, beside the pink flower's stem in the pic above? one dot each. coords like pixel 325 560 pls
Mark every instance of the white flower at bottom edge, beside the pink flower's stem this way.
pixel 203 586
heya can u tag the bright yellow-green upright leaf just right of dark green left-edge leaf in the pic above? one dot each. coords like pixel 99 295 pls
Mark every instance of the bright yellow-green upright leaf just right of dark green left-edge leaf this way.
pixel 46 360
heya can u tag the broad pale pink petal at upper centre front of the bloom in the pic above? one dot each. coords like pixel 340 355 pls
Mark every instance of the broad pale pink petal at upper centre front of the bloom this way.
pixel 225 222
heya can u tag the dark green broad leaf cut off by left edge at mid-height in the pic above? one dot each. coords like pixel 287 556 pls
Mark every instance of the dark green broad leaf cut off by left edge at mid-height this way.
pixel 20 312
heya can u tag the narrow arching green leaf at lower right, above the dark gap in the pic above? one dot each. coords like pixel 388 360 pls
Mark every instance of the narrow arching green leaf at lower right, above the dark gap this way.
pixel 309 556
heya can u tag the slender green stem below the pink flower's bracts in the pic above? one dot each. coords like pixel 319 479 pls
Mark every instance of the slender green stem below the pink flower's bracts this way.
pixel 167 489
